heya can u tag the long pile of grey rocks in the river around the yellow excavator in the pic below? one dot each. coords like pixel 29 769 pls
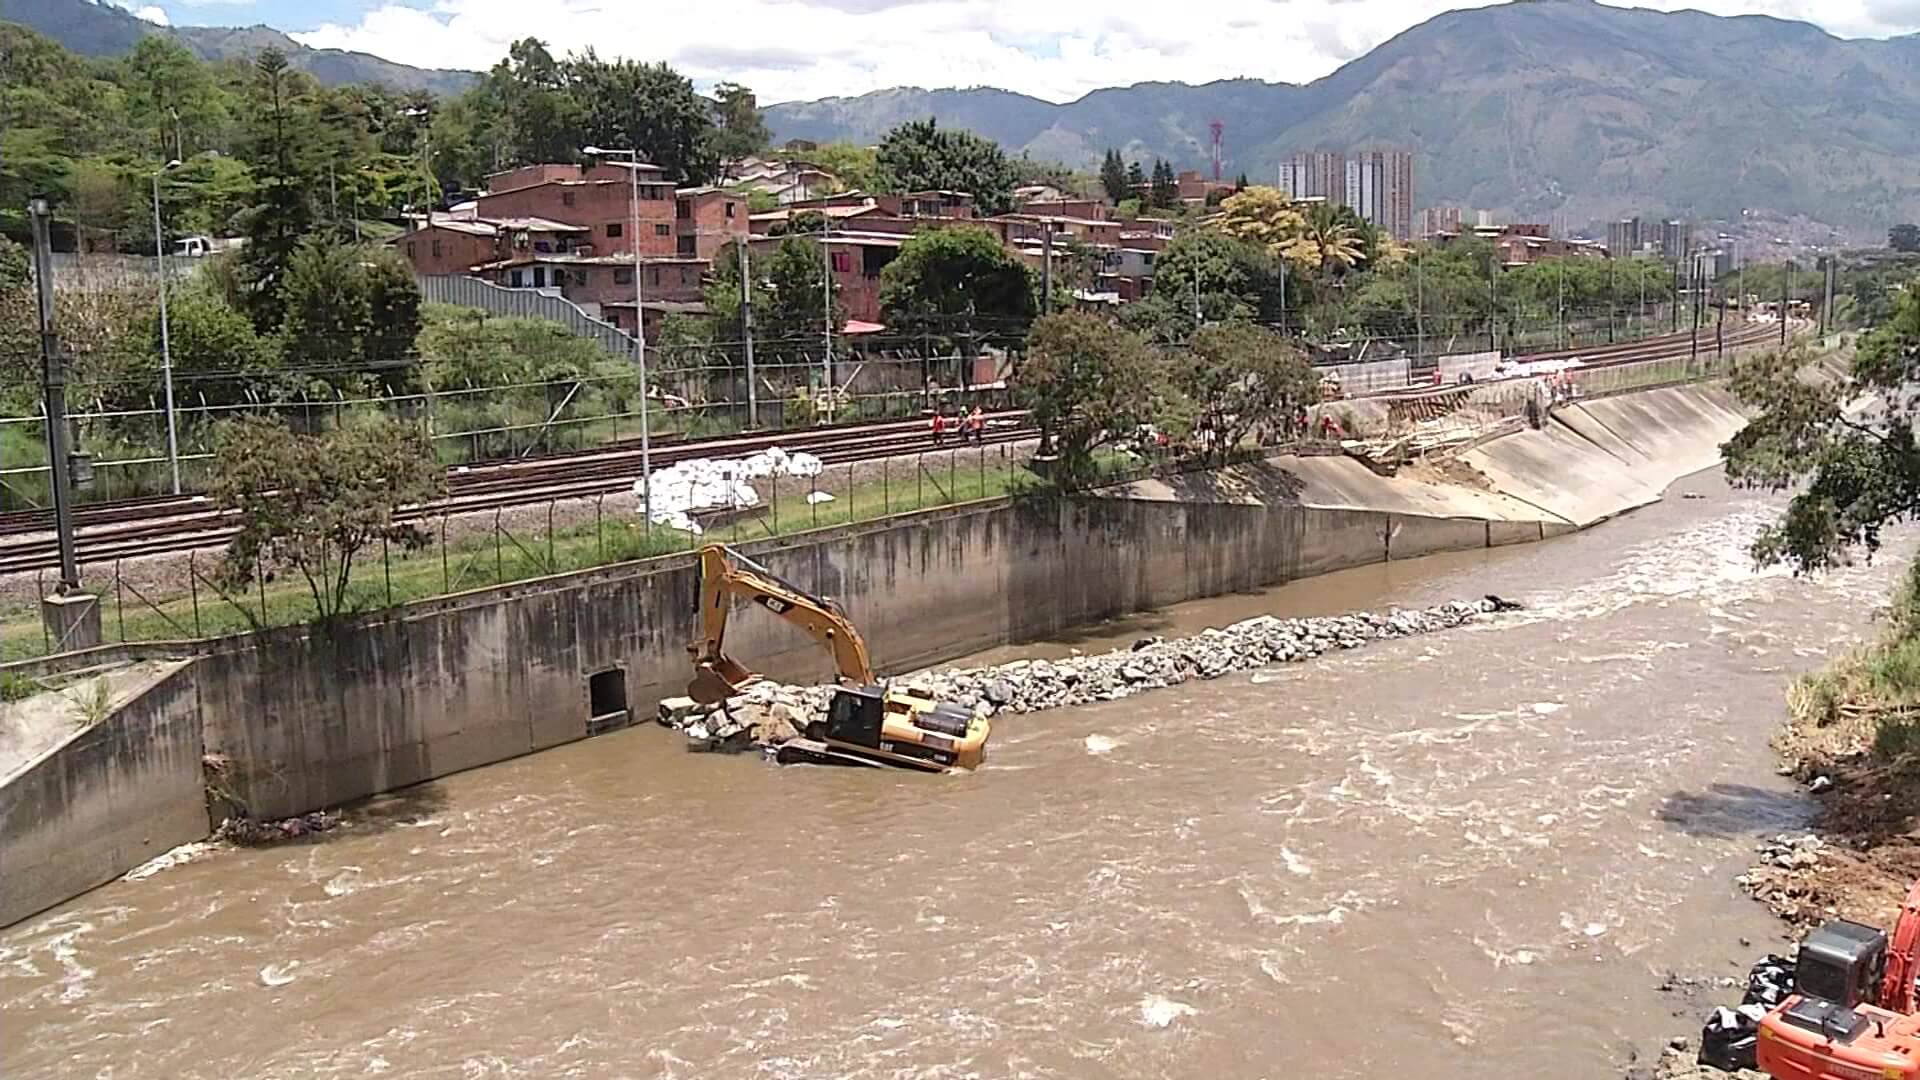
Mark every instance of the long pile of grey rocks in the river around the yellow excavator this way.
pixel 769 714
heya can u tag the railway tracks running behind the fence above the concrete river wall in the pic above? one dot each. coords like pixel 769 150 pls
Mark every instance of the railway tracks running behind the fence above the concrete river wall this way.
pixel 130 529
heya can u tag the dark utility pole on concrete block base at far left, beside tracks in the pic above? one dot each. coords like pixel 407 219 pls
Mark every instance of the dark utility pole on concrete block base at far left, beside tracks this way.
pixel 72 618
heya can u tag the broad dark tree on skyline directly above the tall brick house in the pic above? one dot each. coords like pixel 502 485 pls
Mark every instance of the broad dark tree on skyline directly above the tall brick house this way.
pixel 646 107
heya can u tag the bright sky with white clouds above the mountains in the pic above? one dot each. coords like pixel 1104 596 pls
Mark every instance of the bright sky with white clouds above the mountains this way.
pixel 809 49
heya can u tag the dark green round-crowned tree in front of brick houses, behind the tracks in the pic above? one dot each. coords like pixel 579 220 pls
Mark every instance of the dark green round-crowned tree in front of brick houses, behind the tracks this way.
pixel 955 282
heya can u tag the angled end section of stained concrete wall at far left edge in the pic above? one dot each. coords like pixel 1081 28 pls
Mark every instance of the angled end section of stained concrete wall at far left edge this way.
pixel 110 798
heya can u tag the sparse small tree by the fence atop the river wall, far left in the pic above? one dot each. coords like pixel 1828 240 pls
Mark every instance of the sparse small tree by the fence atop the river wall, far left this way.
pixel 314 503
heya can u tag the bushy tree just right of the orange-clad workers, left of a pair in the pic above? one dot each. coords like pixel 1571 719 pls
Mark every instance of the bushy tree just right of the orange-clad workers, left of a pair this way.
pixel 1088 383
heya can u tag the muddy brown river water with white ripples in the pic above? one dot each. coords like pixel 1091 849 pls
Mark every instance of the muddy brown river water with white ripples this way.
pixel 1466 854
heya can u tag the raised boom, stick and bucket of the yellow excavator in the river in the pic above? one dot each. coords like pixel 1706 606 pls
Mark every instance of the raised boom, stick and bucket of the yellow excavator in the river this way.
pixel 729 576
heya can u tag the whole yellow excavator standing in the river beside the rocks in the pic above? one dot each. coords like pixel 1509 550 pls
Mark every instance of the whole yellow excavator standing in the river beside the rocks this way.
pixel 869 724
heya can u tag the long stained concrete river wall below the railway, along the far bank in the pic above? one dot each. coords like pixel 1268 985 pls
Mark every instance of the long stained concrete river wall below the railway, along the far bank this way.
pixel 314 720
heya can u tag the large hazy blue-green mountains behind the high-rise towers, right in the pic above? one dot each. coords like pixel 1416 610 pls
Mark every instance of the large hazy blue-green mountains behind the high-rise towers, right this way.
pixel 1550 109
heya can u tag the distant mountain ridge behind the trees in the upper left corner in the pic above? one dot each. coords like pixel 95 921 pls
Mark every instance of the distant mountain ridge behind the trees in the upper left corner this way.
pixel 103 30
